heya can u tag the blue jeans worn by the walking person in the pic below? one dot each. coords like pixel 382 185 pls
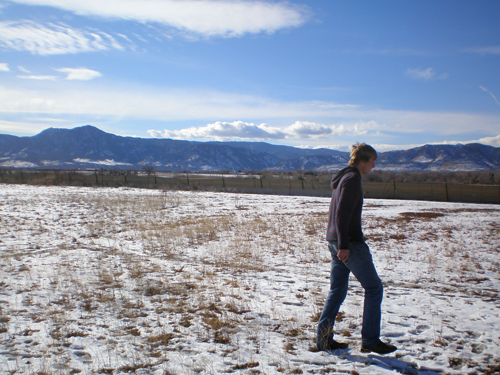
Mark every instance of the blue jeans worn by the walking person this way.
pixel 360 263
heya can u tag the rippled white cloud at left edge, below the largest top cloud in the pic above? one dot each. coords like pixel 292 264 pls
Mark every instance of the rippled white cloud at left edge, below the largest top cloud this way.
pixel 52 39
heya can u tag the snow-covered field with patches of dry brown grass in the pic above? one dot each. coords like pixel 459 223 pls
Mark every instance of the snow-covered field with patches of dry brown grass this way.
pixel 110 281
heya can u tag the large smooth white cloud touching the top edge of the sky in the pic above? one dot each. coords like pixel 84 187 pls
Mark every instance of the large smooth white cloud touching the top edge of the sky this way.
pixel 202 17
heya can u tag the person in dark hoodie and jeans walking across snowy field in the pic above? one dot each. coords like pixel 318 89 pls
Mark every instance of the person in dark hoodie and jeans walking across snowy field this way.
pixel 351 254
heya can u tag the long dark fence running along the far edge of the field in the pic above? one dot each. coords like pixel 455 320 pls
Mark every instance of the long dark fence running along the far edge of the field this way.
pixel 255 184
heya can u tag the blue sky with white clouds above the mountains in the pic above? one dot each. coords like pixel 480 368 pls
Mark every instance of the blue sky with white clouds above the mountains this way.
pixel 395 74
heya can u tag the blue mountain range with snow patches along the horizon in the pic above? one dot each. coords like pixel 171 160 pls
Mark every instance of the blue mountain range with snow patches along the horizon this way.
pixel 87 147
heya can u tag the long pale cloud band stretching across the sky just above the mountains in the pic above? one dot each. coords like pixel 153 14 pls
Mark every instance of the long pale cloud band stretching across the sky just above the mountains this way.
pixel 321 120
